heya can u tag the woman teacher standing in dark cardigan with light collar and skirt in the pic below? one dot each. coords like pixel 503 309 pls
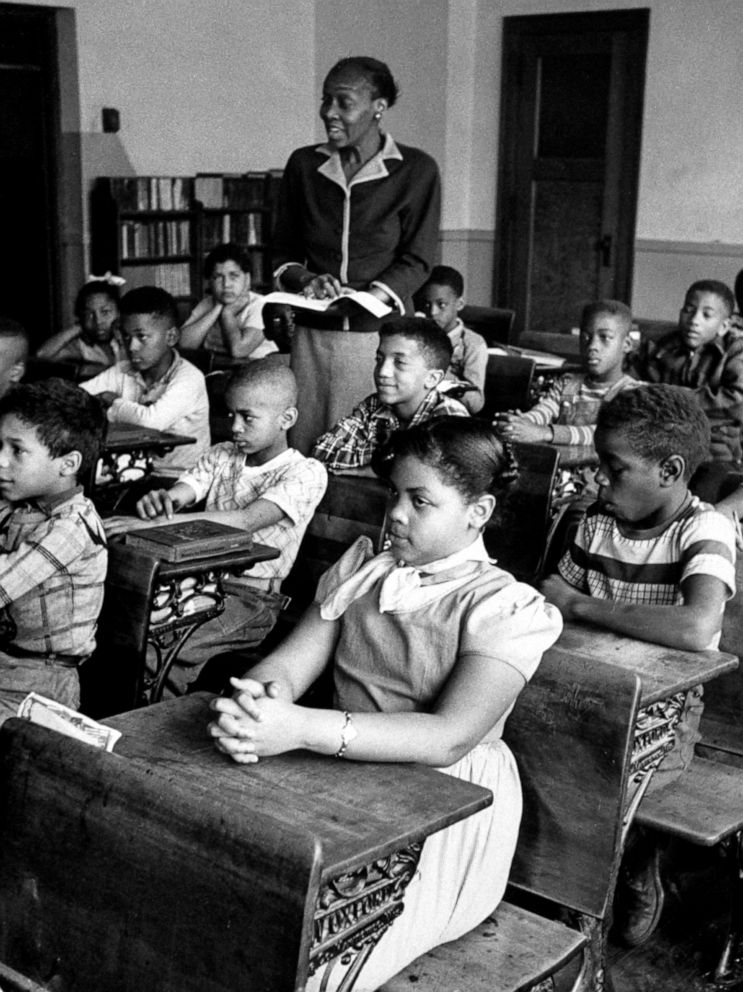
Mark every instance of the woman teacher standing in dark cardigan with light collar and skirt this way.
pixel 359 211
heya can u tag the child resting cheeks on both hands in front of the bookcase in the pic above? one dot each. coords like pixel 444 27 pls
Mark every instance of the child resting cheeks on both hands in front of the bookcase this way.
pixel 229 320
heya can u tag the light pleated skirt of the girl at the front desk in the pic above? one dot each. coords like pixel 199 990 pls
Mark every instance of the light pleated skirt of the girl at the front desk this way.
pixel 461 877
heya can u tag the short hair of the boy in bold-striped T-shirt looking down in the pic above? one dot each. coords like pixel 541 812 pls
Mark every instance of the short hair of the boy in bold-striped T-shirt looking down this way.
pixel 658 421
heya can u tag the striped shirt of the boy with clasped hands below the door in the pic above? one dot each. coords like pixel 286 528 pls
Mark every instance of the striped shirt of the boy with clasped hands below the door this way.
pixel 571 406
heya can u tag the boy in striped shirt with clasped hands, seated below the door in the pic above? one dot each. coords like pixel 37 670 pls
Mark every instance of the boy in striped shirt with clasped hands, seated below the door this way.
pixel 567 413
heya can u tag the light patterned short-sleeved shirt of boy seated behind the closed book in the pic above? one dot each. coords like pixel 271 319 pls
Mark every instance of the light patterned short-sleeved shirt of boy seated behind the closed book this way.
pixel 294 483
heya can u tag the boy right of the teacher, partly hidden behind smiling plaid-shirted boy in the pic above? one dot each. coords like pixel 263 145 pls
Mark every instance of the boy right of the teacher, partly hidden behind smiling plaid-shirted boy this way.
pixel 442 298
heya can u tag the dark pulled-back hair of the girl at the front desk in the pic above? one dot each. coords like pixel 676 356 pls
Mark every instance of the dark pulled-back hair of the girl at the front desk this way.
pixel 464 452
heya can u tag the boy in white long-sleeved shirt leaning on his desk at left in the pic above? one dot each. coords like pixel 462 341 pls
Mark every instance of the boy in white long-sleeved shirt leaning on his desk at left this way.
pixel 155 387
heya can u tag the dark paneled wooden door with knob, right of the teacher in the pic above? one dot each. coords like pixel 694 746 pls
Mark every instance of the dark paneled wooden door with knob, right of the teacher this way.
pixel 569 162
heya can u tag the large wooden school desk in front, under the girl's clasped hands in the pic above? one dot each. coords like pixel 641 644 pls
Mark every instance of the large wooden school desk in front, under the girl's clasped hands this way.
pixel 168 866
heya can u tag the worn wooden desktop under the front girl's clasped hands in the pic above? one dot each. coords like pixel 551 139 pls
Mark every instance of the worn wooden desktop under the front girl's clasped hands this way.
pixel 359 811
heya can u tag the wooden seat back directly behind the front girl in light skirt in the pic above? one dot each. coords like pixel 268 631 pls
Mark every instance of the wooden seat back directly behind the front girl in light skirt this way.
pixel 572 731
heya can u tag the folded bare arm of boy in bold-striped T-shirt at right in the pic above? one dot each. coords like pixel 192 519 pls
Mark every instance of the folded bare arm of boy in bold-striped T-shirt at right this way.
pixel 690 626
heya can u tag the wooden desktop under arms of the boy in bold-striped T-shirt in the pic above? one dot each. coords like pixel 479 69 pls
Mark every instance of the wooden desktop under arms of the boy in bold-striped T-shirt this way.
pixel 663 670
